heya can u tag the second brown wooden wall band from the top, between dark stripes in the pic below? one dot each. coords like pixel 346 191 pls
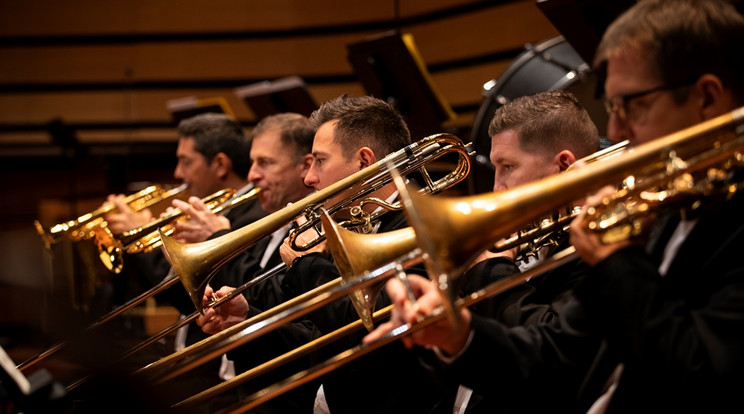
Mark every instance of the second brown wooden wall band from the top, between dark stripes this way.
pixel 487 32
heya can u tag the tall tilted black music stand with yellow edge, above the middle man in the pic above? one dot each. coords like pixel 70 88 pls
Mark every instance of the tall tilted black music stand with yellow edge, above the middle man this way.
pixel 390 67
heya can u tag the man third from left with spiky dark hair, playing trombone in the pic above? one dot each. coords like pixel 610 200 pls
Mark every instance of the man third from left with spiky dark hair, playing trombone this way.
pixel 352 134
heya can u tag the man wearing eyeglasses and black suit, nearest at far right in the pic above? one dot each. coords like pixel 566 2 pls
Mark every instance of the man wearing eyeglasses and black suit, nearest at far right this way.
pixel 666 315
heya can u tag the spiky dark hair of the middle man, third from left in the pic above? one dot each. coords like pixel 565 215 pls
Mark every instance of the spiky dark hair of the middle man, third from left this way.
pixel 364 121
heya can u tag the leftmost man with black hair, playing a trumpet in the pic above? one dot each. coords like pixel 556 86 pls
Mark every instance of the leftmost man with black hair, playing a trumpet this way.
pixel 212 155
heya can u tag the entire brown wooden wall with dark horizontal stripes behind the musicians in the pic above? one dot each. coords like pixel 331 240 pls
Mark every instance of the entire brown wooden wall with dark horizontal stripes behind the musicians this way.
pixel 108 71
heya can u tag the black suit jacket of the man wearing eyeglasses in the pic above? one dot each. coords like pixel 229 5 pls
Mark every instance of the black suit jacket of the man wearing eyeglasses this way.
pixel 679 337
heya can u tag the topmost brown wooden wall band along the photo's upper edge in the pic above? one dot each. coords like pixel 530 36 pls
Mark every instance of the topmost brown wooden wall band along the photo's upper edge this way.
pixel 190 16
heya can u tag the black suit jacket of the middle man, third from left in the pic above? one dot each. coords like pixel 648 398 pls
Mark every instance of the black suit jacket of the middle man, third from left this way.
pixel 389 380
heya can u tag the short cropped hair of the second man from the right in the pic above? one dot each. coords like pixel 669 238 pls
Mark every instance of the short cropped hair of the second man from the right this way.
pixel 548 122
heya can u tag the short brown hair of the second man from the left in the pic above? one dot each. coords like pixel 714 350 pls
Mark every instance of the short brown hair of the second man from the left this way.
pixel 295 131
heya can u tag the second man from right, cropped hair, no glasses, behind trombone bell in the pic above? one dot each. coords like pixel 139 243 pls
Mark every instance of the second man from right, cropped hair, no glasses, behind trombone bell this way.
pixel 532 137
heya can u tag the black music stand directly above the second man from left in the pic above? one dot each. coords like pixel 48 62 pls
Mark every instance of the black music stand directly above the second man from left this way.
pixel 289 94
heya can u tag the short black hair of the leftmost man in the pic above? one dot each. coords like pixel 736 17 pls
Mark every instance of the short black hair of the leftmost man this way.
pixel 214 133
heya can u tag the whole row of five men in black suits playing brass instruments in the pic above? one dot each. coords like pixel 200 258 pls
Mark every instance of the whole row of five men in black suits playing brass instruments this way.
pixel 648 324
